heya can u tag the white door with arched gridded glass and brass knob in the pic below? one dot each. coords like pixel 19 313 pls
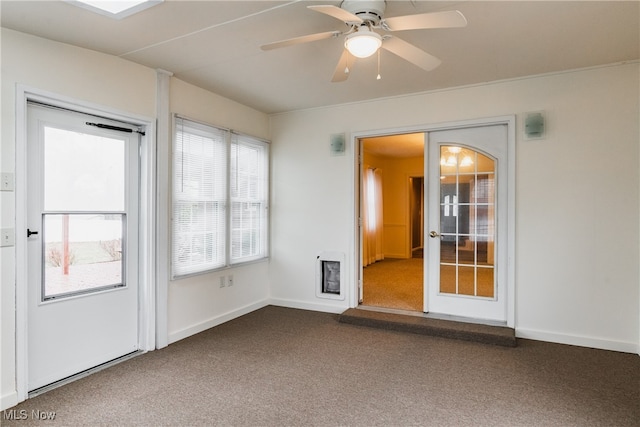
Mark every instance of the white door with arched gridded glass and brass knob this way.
pixel 467 222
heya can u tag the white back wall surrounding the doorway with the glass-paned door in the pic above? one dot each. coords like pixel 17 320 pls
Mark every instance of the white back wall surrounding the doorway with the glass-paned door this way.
pixel 577 197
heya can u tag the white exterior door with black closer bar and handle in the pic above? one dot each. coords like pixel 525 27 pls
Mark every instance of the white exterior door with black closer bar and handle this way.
pixel 82 186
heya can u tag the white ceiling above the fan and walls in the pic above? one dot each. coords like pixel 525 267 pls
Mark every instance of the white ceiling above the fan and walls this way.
pixel 216 44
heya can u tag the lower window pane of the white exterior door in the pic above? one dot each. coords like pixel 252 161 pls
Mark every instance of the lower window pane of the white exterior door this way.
pixel 82 253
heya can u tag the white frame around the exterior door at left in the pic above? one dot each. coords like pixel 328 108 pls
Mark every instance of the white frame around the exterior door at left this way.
pixel 147 222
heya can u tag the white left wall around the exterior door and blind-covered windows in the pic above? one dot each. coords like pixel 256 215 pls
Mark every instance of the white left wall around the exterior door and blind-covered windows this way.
pixel 107 81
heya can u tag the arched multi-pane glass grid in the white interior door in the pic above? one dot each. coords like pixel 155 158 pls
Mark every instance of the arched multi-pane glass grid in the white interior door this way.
pixel 467 223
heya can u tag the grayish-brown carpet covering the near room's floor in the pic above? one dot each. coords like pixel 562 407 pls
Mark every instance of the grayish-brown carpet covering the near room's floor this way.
pixel 285 367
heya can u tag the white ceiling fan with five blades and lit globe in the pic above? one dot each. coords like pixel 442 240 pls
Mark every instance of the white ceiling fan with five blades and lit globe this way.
pixel 365 21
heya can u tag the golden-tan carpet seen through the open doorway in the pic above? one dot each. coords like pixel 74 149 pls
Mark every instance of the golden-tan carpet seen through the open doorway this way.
pixel 394 283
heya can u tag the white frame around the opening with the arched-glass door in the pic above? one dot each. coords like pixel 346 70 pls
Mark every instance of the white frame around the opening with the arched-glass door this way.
pixel 356 261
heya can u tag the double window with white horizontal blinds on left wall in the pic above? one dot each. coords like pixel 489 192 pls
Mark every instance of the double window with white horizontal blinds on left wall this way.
pixel 220 195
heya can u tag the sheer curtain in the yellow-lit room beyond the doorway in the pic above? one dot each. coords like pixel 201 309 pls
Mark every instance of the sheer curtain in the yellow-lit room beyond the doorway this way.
pixel 372 220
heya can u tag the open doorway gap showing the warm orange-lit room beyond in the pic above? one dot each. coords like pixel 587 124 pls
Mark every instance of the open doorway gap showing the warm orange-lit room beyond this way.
pixel 393 267
